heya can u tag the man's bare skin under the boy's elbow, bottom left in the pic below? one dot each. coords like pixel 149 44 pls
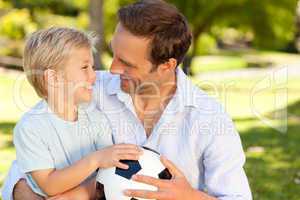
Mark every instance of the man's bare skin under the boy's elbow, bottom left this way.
pixel 22 191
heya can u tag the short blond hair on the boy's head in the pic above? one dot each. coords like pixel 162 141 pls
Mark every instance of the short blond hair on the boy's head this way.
pixel 49 49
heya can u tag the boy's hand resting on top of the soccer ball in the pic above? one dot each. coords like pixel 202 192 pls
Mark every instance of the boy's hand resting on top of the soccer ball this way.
pixel 111 156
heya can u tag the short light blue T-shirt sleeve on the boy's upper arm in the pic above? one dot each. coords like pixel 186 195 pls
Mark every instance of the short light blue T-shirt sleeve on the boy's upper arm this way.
pixel 32 152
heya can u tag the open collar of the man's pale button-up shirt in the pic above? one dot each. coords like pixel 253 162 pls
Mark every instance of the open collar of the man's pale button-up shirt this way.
pixel 186 93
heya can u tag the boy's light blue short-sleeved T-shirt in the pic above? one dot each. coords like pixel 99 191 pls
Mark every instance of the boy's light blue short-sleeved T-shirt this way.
pixel 45 141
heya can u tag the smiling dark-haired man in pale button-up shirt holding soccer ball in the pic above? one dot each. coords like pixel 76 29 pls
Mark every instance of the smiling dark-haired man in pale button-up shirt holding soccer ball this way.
pixel 149 101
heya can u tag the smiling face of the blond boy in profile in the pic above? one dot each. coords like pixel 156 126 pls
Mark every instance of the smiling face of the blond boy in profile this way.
pixel 79 75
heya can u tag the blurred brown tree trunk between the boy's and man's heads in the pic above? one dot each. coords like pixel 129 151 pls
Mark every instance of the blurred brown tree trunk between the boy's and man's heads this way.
pixel 96 25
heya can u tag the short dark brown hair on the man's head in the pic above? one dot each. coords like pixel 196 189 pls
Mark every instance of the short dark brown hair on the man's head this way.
pixel 163 23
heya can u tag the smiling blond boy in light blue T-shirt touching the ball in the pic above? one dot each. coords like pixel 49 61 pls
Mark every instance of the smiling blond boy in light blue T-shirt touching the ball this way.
pixel 62 141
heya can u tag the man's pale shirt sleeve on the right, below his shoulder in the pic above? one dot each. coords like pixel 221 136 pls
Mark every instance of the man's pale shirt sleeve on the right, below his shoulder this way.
pixel 223 162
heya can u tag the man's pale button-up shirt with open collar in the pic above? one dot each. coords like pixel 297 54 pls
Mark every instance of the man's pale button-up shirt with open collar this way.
pixel 194 132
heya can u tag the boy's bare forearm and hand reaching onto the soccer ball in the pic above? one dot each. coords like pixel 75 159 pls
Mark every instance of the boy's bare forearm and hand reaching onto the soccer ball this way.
pixel 54 182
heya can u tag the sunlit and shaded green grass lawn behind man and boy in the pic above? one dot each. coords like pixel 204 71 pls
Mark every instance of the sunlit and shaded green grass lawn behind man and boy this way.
pixel 273 162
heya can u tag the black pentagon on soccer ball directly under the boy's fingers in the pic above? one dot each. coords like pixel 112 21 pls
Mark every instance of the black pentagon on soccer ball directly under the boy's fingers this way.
pixel 134 167
